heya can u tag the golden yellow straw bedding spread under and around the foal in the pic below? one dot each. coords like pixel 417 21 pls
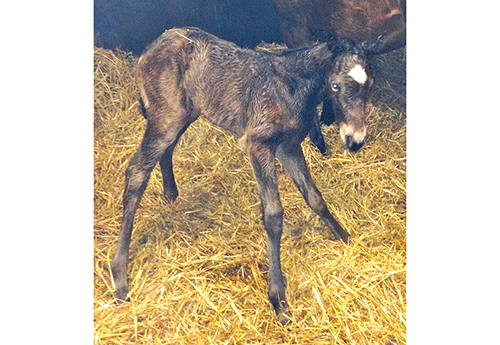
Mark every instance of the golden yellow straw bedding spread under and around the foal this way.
pixel 198 267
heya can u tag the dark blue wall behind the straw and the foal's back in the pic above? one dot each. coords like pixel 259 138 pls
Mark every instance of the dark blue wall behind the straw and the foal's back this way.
pixel 132 24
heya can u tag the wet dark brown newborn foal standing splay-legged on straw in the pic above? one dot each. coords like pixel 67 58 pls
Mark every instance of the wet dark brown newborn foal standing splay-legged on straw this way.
pixel 266 100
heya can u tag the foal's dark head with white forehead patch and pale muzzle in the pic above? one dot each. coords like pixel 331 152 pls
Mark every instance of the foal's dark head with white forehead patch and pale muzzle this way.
pixel 349 83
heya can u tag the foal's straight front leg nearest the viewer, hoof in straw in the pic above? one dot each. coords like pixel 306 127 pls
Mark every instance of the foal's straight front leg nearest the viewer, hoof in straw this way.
pixel 263 162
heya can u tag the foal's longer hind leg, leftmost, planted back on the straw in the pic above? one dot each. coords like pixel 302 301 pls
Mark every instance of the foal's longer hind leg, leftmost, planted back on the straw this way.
pixel 157 140
